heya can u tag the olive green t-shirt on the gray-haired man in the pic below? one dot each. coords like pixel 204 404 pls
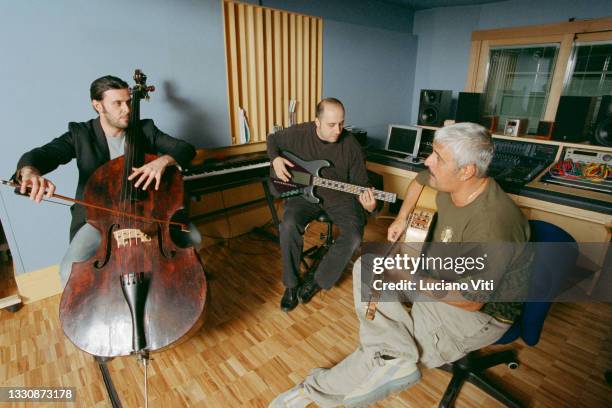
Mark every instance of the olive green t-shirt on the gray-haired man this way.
pixel 491 218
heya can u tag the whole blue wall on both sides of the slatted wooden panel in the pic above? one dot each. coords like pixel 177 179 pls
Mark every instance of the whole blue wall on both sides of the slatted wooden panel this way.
pixel 53 50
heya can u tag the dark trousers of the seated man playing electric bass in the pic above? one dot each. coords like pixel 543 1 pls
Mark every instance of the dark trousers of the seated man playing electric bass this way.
pixel 349 218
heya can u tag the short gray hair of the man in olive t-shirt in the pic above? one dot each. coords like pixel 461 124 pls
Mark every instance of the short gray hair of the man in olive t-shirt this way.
pixel 470 144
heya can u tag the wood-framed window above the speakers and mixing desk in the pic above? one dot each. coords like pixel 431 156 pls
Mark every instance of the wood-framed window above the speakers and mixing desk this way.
pixel 524 71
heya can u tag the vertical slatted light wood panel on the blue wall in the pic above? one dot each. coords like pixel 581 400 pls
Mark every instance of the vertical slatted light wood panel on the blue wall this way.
pixel 273 57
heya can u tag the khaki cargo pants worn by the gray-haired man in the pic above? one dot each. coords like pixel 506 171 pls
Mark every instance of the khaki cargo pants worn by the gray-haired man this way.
pixel 432 333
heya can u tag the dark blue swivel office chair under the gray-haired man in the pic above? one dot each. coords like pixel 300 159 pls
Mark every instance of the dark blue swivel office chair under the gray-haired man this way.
pixel 550 270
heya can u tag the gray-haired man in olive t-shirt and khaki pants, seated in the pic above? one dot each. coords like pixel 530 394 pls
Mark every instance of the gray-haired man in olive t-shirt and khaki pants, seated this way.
pixel 471 208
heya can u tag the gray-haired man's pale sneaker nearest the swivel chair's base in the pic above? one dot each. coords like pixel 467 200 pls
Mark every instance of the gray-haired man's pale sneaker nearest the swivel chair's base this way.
pixel 390 376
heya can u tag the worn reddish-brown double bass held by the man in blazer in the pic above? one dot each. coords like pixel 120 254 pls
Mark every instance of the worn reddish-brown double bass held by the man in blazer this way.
pixel 140 292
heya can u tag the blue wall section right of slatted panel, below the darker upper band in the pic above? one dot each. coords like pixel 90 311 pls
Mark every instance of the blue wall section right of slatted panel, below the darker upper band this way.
pixel 374 81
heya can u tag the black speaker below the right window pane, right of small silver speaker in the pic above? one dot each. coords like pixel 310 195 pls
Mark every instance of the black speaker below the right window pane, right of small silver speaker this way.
pixel 573 118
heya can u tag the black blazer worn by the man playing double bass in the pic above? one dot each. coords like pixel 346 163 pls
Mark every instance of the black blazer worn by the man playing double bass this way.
pixel 87 143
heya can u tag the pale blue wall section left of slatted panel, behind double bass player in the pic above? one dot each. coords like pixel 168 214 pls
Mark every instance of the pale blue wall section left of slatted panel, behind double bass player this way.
pixel 51 52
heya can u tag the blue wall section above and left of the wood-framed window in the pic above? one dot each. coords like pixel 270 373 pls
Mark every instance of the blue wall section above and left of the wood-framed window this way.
pixel 444 35
